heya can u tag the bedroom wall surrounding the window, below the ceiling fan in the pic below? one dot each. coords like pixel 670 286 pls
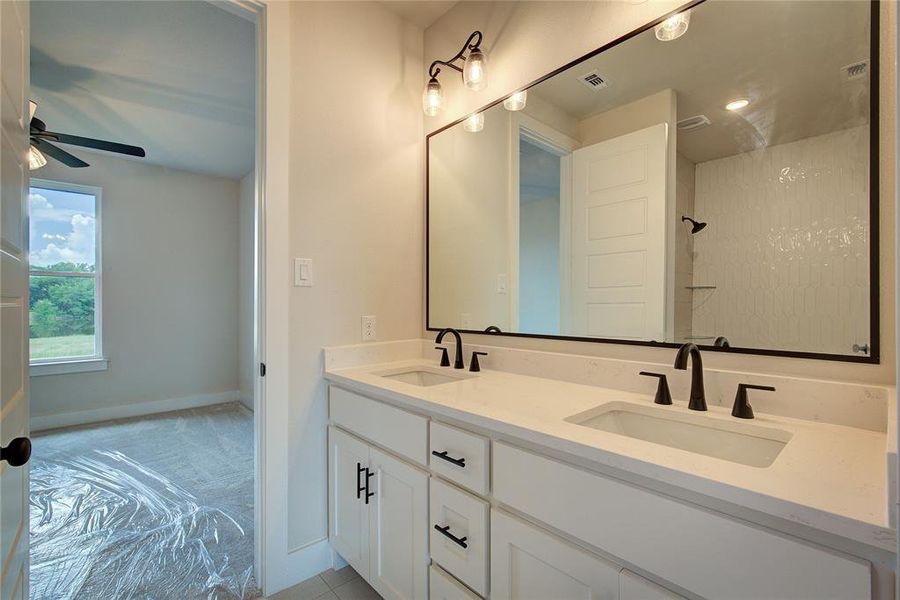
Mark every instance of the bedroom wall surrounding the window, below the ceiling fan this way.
pixel 169 288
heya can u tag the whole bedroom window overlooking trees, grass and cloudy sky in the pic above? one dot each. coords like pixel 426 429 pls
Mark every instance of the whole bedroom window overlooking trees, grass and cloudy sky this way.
pixel 64 319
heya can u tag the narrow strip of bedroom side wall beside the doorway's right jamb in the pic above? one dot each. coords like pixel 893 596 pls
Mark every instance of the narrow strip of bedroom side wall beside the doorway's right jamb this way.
pixel 246 281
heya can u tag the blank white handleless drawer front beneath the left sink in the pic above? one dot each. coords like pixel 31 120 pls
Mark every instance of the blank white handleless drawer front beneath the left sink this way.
pixel 397 430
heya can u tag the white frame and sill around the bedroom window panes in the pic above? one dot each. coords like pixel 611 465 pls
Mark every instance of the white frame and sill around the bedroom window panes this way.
pixel 96 361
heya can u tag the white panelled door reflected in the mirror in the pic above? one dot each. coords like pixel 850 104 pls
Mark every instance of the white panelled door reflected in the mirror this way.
pixel 618 269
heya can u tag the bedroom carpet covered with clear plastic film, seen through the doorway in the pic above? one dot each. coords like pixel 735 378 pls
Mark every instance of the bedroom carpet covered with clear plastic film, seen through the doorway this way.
pixel 153 508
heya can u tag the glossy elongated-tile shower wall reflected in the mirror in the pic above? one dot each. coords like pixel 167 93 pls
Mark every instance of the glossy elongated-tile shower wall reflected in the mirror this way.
pixel 786 245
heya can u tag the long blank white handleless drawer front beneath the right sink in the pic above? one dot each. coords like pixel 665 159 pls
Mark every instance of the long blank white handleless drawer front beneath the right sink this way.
pixel 702 551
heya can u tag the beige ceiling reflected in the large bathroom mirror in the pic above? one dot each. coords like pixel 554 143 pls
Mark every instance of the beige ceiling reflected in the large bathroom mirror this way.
pixel 786 57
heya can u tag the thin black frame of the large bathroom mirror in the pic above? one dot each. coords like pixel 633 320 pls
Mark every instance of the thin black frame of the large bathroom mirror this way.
pixel 874 356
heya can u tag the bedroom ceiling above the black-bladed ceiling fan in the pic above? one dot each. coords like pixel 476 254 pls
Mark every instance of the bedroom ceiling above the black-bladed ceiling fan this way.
pixel 176 78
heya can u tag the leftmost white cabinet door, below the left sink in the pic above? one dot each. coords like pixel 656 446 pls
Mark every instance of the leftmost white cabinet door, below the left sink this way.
pixel 348 514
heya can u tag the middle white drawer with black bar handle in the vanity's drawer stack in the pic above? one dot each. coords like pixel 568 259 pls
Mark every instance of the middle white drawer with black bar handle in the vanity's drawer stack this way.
pixel 465 518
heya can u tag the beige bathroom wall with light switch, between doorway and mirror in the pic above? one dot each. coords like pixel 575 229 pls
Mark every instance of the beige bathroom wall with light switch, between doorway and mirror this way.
pixel 356 173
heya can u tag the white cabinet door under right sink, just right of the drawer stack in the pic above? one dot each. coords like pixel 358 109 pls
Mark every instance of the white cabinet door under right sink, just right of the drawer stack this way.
pixel 527 563
